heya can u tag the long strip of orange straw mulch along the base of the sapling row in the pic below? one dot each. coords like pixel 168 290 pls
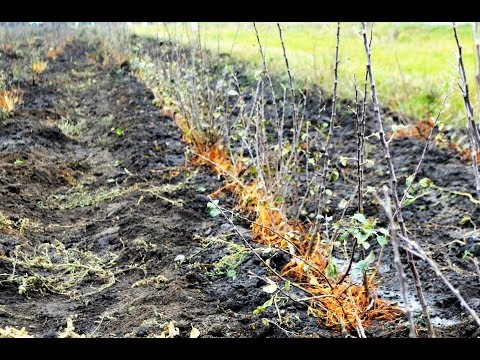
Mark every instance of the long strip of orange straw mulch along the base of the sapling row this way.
pixel 338 305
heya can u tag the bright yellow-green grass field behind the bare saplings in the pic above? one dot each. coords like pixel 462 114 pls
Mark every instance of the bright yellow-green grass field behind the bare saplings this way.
pixel 414 63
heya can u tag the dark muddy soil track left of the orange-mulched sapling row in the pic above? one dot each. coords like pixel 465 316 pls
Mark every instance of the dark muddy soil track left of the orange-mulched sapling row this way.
pixel 143 228
